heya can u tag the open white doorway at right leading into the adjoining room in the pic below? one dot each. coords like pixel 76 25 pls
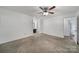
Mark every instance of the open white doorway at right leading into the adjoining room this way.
pixel 70 27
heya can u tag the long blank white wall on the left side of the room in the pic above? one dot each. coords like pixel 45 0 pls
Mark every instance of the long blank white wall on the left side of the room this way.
pixel 14 25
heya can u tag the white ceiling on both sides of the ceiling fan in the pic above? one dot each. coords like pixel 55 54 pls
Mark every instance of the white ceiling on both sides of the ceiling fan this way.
pixel 33 10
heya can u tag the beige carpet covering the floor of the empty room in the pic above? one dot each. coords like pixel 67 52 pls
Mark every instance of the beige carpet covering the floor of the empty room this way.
pixel 40 43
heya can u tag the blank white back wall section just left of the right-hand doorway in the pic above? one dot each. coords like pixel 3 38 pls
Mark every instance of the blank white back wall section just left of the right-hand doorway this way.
pixel 54 26
